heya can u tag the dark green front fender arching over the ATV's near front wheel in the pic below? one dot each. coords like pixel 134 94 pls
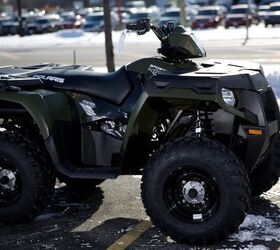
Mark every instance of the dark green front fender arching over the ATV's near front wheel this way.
pixel 144 116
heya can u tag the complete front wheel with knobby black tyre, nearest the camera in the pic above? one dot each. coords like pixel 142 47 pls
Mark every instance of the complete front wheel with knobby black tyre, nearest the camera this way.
pixel 196 191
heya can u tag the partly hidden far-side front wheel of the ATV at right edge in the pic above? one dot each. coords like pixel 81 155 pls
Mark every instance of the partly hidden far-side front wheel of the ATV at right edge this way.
pixel 267 174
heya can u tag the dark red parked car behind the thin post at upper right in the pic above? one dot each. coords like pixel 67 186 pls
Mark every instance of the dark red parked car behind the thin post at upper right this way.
pixel 238 14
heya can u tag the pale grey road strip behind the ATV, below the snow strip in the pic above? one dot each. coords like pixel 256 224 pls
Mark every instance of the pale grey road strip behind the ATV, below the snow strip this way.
pixel 258 50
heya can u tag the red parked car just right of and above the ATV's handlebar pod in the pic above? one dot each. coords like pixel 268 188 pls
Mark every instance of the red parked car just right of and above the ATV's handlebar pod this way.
pixel 209 17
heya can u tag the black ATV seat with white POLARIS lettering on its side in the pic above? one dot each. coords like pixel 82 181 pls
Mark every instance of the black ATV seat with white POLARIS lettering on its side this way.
pixel 113 87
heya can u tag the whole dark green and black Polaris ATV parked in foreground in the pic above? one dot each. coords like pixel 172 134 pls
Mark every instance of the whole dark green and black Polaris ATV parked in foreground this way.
pixel 202 135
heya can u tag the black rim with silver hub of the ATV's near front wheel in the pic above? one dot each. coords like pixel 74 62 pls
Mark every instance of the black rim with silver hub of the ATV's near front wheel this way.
pixel 191 194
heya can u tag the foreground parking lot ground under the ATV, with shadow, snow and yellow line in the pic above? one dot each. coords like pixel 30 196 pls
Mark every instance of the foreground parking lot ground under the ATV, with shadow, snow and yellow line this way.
pixel 112 215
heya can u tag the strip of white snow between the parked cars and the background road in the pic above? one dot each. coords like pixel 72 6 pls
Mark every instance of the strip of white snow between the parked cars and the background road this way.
pixel 79 38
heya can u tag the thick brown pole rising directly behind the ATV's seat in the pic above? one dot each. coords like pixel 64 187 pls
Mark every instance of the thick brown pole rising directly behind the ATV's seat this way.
pixel 108 36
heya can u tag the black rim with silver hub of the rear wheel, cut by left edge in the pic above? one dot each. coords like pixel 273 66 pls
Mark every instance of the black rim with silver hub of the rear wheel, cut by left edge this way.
pixel 10 184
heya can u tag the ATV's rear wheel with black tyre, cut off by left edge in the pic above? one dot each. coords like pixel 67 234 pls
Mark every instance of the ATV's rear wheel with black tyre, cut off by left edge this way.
pixel 26 179
